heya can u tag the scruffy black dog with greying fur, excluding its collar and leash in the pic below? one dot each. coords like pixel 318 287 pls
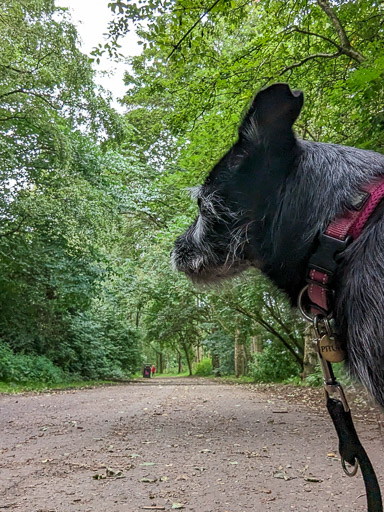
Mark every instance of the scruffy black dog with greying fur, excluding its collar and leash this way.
pixel 265 202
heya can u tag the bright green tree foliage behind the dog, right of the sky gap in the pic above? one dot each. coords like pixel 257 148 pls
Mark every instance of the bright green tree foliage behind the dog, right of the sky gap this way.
pixel 200 66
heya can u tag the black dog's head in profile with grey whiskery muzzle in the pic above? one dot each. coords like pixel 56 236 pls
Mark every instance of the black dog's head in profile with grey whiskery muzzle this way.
pixel 240 193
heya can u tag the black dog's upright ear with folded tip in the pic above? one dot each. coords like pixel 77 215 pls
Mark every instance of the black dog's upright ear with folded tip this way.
pixel 274 110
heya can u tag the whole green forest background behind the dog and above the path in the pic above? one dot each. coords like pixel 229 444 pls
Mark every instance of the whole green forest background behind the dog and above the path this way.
pixel 92 200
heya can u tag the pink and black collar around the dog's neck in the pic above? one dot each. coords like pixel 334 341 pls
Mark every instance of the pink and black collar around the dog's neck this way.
pixel 338 235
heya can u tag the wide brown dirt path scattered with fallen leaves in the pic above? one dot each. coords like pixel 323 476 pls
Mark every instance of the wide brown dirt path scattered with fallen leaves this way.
pixel 189 444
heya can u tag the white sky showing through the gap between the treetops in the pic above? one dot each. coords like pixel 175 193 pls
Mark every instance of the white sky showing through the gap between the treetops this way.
pixel 91 18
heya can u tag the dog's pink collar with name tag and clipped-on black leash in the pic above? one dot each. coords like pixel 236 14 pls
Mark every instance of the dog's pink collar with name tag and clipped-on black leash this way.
pixel 322 267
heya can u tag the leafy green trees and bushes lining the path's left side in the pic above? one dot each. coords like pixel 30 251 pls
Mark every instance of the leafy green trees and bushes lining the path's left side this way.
pixel 60 200
